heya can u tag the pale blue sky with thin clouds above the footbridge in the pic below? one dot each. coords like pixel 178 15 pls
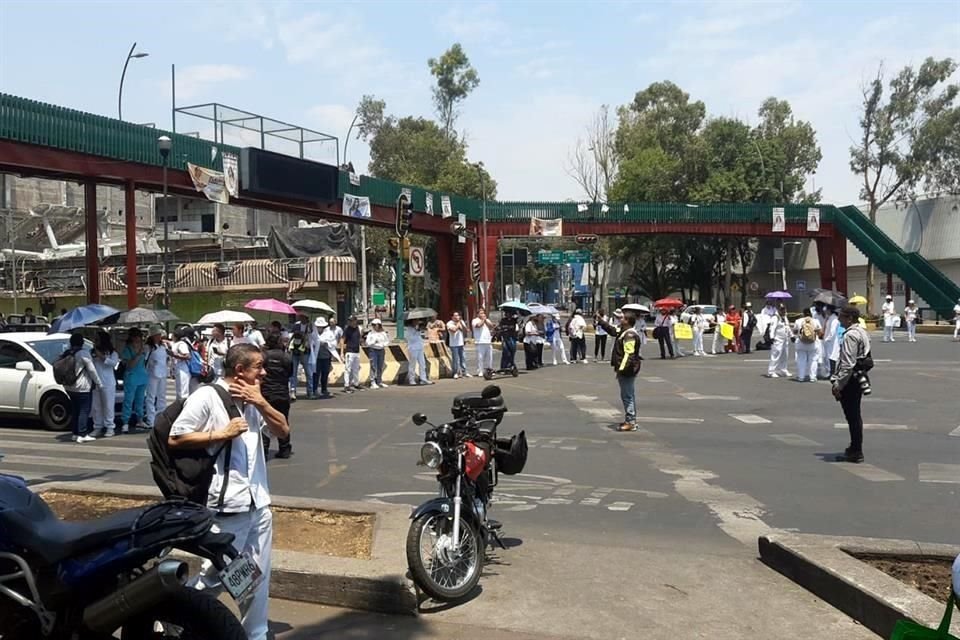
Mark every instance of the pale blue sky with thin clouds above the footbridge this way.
pixel 545 67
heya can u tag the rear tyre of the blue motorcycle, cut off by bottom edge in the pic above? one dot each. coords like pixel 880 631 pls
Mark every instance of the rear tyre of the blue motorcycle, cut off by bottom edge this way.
pixel 186 615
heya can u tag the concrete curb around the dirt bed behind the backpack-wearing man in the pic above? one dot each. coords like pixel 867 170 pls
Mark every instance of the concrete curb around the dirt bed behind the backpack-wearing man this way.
pixel 378 584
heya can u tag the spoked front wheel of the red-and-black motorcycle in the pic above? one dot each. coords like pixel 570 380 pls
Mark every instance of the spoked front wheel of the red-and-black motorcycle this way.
pixel 443 570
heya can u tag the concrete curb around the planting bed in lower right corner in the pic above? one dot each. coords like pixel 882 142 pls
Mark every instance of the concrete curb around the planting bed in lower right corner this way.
pixel 824 566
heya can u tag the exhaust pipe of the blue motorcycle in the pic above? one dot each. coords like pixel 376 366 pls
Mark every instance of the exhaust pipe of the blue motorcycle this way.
pixel 149 590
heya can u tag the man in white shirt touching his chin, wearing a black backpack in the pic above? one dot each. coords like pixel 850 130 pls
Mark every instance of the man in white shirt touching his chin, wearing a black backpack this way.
pixel 244 509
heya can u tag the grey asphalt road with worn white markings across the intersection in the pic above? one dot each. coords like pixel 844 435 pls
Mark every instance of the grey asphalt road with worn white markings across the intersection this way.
pixel 657 526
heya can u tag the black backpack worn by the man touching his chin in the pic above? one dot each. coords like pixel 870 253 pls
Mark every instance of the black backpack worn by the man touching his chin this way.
pixel 186 474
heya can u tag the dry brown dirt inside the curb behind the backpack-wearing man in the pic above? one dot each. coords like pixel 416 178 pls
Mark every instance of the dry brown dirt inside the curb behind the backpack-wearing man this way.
pixel 344 535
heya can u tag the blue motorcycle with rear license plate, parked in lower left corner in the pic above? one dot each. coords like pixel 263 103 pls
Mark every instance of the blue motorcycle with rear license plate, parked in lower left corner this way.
pixel 90 580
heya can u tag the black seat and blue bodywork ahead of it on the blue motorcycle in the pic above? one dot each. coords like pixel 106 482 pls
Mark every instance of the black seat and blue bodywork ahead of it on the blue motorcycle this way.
pixel 33 526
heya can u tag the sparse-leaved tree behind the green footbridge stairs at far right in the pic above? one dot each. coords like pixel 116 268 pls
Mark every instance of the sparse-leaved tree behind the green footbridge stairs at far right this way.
pixel 909 139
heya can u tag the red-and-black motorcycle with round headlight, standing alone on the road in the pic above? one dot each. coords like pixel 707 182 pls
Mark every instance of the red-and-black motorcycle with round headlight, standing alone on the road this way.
pixel 449 534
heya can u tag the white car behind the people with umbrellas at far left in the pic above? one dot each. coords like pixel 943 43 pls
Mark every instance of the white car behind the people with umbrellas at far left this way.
pixel 27 387
